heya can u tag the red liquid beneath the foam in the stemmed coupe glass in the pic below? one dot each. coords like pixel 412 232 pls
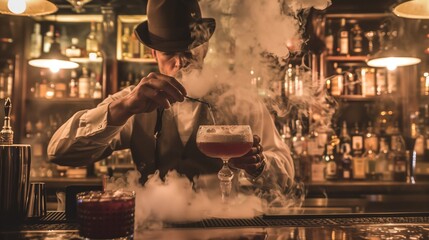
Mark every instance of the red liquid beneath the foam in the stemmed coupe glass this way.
pixel 224 149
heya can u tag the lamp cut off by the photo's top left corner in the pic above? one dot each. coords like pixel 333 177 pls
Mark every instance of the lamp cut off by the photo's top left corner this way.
pixel 27 7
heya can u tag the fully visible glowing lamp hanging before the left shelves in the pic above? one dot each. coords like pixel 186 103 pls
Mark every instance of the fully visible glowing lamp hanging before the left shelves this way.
pixel 53 60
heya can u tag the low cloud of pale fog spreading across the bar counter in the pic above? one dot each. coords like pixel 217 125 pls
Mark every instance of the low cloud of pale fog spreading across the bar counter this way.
pixel 176 199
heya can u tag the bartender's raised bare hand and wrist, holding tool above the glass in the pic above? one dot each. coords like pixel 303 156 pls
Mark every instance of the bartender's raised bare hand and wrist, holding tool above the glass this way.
pixel 154 91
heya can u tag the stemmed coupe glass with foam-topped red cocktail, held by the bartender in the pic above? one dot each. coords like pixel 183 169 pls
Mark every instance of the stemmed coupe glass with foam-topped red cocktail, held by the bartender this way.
pixel 224 142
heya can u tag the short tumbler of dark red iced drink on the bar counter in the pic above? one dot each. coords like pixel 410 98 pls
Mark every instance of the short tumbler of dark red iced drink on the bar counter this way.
pixel 106 215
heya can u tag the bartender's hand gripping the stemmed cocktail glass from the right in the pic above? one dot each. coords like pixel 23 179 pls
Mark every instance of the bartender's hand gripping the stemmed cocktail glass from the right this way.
pixel 253 161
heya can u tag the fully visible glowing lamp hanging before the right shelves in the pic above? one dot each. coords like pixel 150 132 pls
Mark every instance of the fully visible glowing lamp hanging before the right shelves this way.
pixel 392 58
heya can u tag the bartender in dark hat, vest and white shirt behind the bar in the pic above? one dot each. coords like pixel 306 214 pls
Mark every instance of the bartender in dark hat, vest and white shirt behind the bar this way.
pixel 157 122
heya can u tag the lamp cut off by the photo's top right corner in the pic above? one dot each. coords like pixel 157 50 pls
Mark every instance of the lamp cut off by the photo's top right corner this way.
pixel 416 9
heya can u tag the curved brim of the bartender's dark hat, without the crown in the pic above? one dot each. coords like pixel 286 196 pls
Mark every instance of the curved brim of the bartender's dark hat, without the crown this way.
pixel 143 35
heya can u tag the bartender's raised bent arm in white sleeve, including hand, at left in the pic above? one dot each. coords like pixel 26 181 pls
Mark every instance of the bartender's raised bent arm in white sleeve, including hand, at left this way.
pixel 93 134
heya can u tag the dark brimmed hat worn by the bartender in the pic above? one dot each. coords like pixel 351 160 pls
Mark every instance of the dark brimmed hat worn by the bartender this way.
pixel 174 26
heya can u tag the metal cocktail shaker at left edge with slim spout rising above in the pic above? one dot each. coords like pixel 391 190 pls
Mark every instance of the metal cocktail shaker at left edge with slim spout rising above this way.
pixel 15 162
